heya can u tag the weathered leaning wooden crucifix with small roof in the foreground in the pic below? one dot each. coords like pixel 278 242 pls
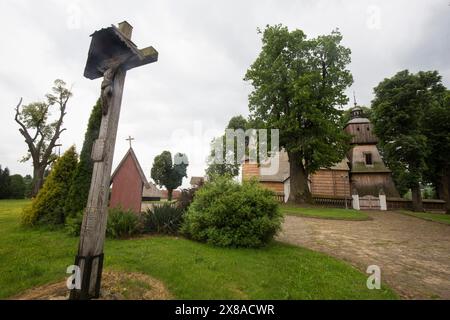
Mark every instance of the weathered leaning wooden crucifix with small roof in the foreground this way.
pixel 111 55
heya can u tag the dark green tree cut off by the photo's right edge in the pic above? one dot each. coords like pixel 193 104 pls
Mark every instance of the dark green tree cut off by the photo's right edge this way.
pixel 436 127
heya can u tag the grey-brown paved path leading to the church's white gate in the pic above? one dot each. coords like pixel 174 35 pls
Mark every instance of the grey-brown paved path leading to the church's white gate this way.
pixel 413 254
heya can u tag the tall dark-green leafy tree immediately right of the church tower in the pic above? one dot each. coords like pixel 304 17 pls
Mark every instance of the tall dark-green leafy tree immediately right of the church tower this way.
pixel 399 108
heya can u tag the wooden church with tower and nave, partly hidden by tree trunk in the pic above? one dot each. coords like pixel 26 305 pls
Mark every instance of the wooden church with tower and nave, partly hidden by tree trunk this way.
pixel 362 172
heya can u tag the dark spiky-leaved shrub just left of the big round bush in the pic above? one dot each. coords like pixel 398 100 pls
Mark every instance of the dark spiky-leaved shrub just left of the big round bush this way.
pixel 165 219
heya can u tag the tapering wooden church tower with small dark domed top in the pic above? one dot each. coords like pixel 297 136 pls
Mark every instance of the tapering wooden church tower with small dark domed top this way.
pixel 368 173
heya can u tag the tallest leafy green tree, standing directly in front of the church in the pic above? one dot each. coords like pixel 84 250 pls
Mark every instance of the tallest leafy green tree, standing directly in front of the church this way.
pixel 298 85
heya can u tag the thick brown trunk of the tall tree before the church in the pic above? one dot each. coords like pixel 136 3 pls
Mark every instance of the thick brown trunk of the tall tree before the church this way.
pixel 299 189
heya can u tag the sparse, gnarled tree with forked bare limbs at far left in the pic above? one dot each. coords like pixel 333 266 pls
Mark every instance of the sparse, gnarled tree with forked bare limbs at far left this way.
pixel 40 131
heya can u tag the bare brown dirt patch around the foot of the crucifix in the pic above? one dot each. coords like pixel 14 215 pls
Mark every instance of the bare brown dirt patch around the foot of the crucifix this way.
pixel 115 286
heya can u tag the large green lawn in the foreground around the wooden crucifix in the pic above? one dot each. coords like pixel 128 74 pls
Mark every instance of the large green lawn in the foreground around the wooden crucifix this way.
pixel 190 270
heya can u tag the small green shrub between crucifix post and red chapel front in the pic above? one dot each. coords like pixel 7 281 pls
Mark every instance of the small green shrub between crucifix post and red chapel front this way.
pixel 122 223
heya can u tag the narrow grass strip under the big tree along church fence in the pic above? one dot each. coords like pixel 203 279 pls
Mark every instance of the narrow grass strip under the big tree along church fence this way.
pixel 324 213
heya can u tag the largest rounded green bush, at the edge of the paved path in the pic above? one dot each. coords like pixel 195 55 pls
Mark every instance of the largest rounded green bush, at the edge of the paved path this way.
pixel 227 214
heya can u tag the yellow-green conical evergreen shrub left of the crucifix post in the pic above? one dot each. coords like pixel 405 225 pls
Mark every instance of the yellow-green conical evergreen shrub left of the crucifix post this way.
pixel 48 206
